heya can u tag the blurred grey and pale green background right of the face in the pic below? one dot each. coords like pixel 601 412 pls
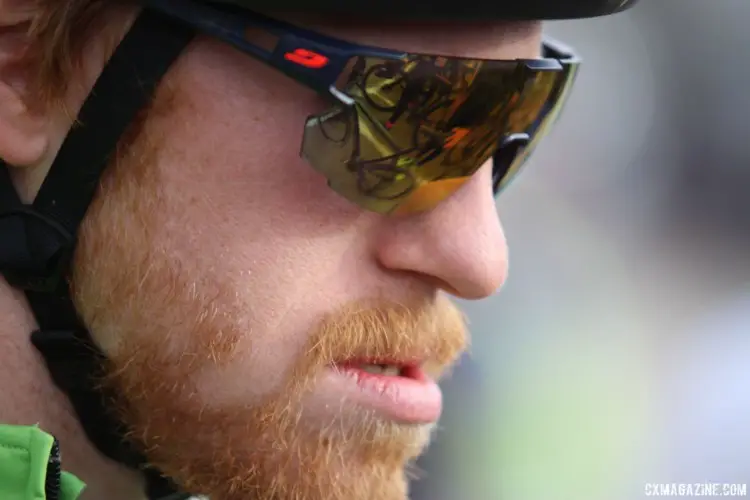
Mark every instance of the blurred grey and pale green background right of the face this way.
pixel 618 353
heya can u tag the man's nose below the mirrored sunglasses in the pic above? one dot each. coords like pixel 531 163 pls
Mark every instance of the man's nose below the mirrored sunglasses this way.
pixel 458 245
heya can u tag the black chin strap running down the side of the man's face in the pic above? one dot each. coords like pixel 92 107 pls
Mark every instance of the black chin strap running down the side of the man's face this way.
pixel 37 241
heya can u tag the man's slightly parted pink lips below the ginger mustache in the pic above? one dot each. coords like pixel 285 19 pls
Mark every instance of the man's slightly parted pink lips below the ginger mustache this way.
pixel 412 397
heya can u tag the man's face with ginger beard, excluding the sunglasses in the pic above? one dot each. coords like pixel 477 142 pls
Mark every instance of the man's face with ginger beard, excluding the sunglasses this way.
pixel 234 291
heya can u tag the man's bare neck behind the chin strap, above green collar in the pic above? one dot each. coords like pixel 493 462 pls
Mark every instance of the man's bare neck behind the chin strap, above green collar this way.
pixel 29 397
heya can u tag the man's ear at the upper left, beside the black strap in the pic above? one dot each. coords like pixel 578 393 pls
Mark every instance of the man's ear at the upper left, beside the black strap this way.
pixel 24 130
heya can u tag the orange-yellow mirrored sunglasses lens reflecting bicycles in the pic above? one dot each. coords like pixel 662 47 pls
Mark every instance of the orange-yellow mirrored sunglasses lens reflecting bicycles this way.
pixel 408 132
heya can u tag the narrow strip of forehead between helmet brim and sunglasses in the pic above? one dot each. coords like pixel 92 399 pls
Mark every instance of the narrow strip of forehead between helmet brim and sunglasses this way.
pixel 488 39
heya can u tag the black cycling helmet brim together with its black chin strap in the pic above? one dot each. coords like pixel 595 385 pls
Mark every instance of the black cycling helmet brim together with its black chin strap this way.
pixel 37 240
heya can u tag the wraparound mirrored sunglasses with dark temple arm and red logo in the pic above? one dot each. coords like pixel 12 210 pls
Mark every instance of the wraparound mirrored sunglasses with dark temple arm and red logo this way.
pixel 404 131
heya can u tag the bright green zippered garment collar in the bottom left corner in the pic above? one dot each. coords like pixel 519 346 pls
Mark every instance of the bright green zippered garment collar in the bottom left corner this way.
pixel 28 463
